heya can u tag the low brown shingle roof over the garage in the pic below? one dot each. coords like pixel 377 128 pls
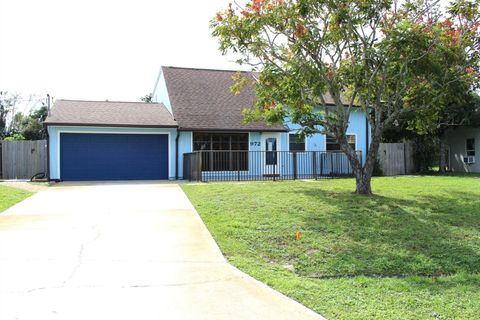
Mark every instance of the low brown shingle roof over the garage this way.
pixel 110 113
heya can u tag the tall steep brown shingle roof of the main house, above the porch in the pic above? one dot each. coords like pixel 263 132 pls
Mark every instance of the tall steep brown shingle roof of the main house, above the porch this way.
pixel 201 100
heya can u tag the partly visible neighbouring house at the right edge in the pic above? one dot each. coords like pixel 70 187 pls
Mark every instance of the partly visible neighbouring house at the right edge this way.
pixel 463 143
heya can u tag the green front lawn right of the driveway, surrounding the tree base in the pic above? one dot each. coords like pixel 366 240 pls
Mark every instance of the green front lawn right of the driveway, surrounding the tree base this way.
pixel 412 251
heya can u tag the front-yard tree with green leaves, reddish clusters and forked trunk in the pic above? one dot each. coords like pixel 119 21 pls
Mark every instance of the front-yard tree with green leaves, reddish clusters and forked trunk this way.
pixel 388 58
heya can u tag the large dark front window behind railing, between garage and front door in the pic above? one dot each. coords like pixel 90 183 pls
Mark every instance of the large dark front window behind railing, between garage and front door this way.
pixel 225 150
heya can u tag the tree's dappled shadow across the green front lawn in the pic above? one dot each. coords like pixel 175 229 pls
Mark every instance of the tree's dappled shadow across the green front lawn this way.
pixel 382 236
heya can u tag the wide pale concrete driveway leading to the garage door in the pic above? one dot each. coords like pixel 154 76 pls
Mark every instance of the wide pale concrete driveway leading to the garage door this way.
pixel 122 251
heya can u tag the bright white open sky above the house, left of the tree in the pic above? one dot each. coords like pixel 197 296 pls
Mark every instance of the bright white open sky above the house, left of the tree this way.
pixel 102 49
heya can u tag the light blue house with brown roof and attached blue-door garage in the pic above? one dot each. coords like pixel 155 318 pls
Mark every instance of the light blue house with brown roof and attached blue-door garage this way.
pixel 193 110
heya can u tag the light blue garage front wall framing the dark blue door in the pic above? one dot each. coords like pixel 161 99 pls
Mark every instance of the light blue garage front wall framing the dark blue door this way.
pixel 54 136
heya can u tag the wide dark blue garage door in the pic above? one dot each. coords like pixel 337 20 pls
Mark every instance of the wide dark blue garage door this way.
pixel 89 157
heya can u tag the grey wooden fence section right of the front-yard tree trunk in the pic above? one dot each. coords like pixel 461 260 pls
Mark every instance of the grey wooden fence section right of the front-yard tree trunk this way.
pixel 396 159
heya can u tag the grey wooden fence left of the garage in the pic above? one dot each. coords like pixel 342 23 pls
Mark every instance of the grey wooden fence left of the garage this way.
pixel 23 159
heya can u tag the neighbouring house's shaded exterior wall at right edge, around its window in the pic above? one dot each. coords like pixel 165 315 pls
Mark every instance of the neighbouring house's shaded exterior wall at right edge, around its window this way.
pixel 456 140
